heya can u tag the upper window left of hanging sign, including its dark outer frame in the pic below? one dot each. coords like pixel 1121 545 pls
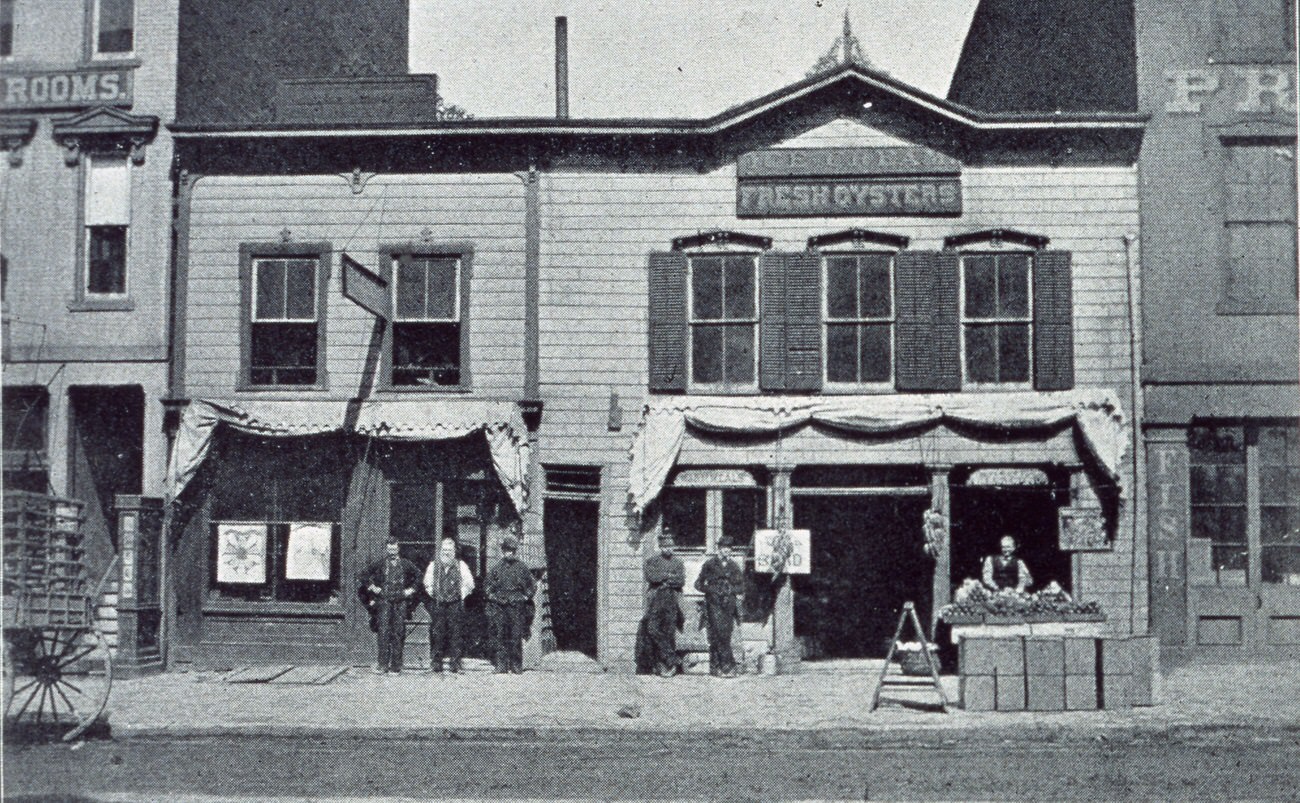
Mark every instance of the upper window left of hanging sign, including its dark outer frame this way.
pixel 284 315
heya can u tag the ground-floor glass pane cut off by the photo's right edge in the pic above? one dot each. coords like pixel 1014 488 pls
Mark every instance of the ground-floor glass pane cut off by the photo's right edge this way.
pixel 1280 505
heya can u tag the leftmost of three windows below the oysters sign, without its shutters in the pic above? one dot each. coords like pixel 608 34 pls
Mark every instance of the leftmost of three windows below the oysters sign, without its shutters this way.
pixel 723 318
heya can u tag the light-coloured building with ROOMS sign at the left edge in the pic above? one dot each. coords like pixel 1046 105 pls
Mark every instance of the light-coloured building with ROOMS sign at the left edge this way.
pixel 85 245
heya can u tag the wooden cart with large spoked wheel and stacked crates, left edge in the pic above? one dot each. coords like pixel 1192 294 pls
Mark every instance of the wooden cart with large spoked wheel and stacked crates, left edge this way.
pixel 58 669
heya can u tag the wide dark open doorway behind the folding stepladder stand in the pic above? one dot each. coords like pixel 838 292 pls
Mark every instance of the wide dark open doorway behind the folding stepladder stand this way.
pixel 868 562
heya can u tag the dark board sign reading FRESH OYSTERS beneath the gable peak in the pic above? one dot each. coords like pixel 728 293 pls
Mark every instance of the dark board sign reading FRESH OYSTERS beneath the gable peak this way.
pixel 829 183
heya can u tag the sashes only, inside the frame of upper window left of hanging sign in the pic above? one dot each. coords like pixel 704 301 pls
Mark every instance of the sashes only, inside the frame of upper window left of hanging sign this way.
pixel 284 336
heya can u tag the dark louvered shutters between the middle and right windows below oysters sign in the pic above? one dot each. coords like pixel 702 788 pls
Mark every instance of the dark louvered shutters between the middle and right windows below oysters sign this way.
pixel 929 322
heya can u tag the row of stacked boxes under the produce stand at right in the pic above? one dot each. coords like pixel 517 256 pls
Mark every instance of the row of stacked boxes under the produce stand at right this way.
pixel 1059 674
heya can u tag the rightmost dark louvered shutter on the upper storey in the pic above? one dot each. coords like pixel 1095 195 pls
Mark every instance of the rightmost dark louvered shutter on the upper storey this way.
pixel 1054 325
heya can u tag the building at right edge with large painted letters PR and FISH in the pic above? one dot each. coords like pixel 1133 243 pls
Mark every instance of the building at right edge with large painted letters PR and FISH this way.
pixel 1220 370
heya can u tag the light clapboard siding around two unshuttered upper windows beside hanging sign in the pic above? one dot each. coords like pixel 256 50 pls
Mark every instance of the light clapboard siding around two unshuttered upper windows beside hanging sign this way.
pixel 484 211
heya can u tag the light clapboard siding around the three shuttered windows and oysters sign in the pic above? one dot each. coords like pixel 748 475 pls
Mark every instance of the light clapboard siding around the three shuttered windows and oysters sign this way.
pixel 599 232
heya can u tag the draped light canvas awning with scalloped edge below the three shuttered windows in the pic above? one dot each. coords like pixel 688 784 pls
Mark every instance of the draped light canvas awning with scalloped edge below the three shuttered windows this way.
pixel 1097 416
